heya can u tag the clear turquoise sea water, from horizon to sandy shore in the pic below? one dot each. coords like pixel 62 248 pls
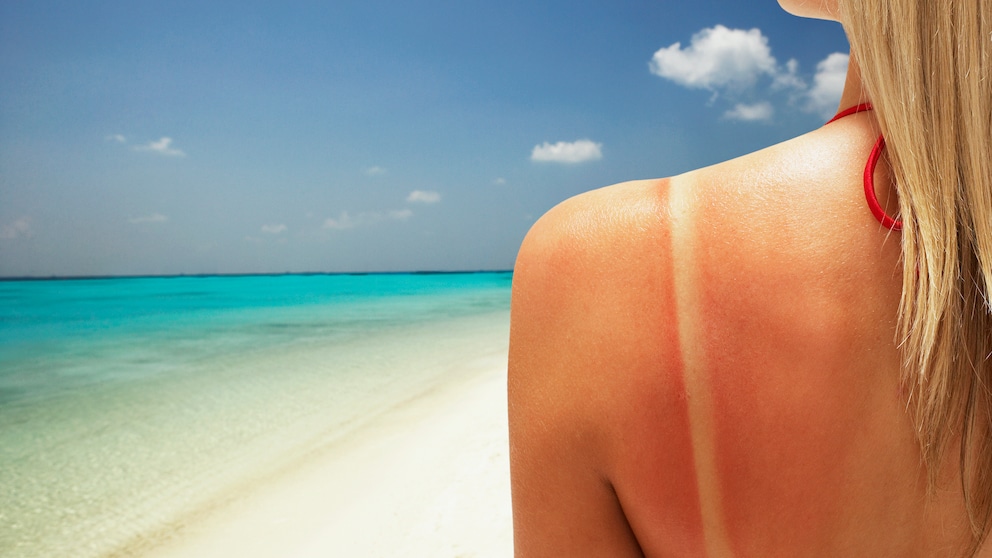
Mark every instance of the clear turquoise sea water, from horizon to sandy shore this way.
pixel 129 406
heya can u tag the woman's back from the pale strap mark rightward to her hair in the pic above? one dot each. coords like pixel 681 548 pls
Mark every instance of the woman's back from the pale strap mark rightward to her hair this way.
pixel 801 437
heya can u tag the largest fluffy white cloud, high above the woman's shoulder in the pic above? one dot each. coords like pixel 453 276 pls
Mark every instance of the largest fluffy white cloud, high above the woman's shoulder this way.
pixel 717 57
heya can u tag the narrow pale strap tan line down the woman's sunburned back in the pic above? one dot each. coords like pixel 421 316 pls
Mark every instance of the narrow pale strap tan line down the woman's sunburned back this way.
pixel 682 207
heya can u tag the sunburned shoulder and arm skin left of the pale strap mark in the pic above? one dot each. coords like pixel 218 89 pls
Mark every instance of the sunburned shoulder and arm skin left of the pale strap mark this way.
pixel 598 409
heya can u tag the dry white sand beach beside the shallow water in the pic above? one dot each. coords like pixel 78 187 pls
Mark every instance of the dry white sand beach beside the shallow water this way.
pixel 427 478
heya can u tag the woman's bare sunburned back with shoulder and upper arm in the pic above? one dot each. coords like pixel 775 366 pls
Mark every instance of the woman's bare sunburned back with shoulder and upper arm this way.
pixel 706 365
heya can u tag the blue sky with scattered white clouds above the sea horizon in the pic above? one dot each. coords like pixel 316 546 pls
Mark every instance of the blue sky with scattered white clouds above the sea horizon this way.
pixel 141 137
